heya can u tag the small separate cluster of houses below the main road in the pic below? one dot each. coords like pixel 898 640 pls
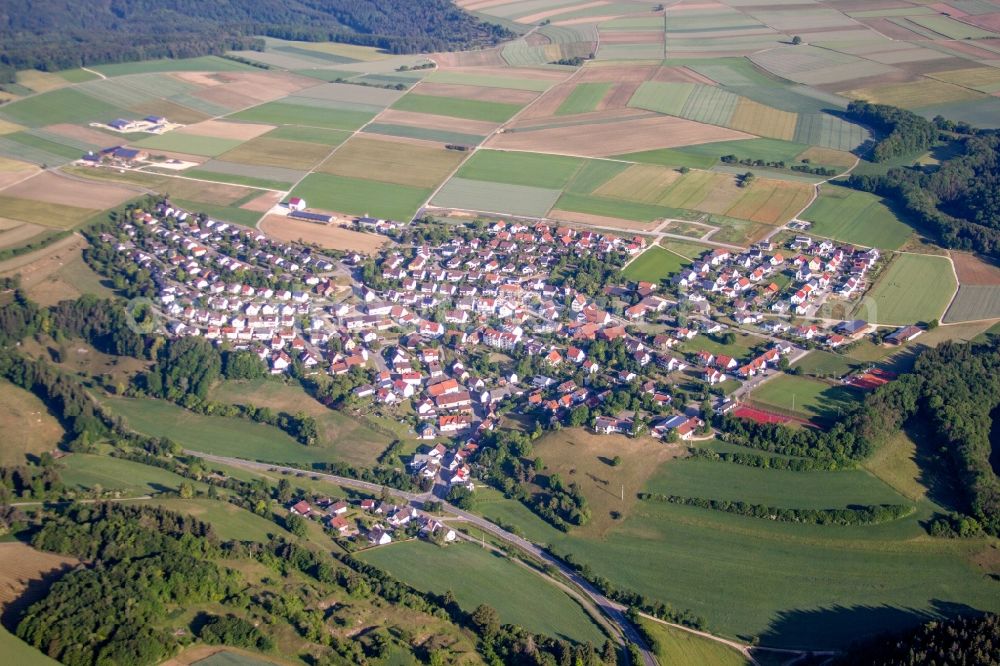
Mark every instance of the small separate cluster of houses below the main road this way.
pixel 379 522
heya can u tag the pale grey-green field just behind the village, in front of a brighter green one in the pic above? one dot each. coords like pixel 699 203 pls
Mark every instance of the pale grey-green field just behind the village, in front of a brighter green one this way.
pixel 482 195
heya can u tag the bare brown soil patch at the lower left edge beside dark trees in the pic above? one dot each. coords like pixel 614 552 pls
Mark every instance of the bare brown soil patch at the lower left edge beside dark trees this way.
pixel 22 572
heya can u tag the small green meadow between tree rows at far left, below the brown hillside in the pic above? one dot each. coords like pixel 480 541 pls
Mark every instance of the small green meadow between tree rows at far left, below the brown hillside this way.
pixel 133 479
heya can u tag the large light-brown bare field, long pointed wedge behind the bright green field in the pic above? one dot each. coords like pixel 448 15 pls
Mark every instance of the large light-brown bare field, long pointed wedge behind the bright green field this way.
pixel 616 138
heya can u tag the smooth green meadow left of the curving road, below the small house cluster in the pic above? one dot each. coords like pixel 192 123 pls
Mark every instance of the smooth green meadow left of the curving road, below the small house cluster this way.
pixel 476 576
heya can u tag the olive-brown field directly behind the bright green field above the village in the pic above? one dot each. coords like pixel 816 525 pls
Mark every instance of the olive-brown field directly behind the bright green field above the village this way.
pixel 401 162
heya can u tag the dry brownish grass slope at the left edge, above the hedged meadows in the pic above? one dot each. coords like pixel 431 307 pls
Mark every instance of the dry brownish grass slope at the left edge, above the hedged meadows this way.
pixel 29 428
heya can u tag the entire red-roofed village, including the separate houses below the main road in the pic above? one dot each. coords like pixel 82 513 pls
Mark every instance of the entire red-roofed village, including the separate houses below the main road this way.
pixel 457 337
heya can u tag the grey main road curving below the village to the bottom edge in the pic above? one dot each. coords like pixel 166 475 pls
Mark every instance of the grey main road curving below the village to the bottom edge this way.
pixel 613 610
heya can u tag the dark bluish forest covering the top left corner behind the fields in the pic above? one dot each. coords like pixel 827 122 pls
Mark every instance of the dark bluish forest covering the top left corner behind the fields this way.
pixel 52 35
